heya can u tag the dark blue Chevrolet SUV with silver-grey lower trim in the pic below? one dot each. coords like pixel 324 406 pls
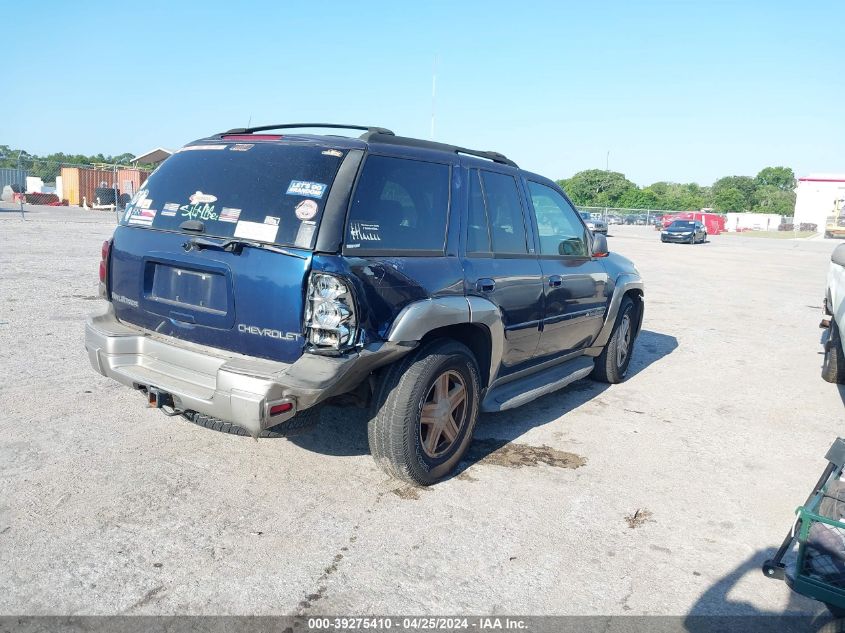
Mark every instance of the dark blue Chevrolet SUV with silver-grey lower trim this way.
pixel 258 275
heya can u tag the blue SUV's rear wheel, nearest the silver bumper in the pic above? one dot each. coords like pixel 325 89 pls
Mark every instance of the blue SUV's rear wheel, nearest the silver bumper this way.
pixel 424 413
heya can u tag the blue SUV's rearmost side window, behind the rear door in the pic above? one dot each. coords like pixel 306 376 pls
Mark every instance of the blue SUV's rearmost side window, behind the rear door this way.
pixel 399 205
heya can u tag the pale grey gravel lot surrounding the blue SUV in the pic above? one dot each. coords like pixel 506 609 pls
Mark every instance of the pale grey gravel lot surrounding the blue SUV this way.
pixel 690 472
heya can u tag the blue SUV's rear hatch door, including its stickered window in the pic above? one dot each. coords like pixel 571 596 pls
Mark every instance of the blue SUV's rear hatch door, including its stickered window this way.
pixel 215 248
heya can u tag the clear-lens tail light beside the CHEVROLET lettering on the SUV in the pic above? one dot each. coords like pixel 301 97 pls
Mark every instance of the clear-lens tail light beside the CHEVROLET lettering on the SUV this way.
pixel 330 321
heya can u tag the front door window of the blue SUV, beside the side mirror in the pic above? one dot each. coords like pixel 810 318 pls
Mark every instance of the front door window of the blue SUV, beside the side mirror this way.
pixel 560 229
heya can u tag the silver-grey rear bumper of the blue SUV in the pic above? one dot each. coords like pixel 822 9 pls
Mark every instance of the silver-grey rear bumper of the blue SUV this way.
pixel 235 388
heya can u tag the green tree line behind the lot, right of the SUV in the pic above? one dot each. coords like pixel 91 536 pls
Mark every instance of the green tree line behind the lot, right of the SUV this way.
pixel 770 191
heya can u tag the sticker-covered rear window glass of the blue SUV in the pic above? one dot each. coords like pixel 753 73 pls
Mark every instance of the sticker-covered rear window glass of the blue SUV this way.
pixel 263 192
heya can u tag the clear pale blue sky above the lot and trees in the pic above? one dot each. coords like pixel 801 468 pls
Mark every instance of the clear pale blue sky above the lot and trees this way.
pixel 681 91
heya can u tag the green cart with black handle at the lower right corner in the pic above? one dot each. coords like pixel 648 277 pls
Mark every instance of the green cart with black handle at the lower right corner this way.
pixel 818 569
